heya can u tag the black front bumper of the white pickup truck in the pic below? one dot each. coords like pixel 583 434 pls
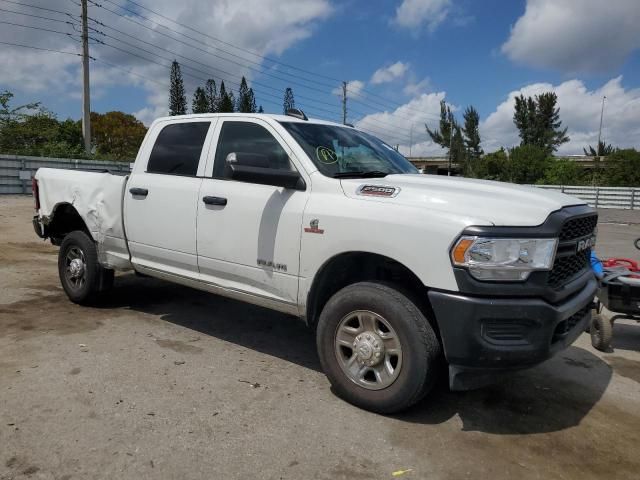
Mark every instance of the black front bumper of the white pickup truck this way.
pixel 482 336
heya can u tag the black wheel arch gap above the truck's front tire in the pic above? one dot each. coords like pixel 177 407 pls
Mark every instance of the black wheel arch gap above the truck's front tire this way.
pixel 351 267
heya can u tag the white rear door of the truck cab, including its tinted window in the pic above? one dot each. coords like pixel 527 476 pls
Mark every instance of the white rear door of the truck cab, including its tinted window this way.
pixel 161 200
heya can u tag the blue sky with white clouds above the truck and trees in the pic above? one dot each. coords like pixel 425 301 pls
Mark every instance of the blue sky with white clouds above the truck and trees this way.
pixel 399 59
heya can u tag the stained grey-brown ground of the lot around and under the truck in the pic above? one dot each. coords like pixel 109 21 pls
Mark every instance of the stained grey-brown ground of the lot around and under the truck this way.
pixel 160 381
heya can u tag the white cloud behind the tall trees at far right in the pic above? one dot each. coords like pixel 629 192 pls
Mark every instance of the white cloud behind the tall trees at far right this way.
pixel 579 111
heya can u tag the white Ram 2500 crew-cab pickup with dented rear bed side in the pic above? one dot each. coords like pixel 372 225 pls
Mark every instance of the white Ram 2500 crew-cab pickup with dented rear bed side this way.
pixel 397 272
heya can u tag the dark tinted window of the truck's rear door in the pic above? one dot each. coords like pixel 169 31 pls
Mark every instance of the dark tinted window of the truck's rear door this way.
pixel 177 149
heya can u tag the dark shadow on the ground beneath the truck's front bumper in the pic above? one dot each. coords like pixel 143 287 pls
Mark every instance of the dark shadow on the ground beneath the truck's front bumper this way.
pixel 551 397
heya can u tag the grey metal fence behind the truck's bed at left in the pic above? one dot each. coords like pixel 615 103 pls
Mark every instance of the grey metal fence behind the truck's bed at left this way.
pixel 16 171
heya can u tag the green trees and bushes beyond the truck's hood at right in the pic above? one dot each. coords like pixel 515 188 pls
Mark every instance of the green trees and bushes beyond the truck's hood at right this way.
pixel 541 133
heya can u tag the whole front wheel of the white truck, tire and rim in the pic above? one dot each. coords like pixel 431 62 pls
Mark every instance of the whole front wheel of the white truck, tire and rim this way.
pixel 377 348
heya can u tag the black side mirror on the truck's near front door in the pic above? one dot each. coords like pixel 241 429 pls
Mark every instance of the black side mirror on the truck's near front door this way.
pixel 254 168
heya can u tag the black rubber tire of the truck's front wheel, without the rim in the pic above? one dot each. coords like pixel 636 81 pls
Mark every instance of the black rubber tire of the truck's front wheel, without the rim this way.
pixel 421 350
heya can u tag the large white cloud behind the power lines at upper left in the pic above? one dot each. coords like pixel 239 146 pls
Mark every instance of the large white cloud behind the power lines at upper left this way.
pixel 268 27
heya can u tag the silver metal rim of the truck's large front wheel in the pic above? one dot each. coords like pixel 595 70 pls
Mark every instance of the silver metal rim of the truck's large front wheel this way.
pixel 368 350
